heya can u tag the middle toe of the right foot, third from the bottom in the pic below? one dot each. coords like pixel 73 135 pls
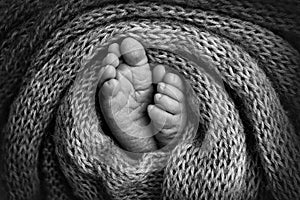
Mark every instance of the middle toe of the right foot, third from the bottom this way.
pixel 170 91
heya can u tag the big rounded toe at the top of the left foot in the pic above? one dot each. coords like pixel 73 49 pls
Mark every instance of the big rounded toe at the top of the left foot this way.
pixel 133 52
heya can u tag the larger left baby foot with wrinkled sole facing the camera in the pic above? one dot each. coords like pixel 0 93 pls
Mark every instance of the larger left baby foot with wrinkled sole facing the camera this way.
pixel 125 92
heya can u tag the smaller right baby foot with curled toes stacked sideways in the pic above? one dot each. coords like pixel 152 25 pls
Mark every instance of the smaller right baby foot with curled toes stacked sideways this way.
pixel 168 114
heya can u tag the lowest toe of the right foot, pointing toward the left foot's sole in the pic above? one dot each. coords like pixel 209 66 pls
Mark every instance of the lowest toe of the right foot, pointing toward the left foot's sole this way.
pixel 161 118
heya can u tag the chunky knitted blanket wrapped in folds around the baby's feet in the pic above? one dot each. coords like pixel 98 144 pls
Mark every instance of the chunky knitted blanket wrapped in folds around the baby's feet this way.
pixel 53 138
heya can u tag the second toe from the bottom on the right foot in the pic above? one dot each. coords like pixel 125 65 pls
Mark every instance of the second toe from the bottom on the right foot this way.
pixel 168 104
